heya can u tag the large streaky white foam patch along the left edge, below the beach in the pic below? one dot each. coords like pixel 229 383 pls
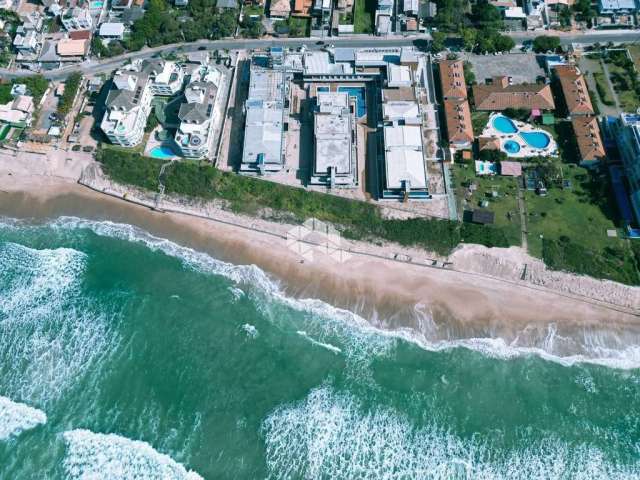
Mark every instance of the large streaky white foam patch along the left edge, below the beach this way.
pixel 48 331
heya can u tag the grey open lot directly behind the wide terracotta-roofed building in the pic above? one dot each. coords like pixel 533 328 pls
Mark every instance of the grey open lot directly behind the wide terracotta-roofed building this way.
pixel 523 67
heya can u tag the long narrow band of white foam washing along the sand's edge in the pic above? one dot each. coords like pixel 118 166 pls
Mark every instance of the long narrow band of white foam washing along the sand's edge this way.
pixel 360 339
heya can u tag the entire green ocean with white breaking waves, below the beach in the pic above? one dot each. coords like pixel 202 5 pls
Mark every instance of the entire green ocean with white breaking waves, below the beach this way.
pixel 123 355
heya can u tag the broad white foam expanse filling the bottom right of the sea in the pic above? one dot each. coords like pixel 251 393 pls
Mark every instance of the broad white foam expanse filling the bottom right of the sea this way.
pixel 330 435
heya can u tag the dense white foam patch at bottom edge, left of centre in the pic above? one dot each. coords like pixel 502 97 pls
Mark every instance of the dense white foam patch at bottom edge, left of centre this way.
pixel 112 457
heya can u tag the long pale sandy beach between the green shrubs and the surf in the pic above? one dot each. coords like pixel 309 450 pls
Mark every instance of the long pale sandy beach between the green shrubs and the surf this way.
pixel 481 295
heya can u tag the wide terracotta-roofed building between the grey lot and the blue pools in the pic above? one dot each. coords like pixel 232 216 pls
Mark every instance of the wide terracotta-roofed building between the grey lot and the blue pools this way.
pixel 499 95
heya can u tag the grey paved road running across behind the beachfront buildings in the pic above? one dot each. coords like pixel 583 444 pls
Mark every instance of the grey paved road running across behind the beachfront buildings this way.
pixel 93 67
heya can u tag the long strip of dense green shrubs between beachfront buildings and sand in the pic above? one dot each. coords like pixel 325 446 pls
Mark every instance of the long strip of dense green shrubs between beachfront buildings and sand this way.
pixel 355 219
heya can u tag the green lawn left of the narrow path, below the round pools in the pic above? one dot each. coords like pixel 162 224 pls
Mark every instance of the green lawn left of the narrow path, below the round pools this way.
pixel 505 205
